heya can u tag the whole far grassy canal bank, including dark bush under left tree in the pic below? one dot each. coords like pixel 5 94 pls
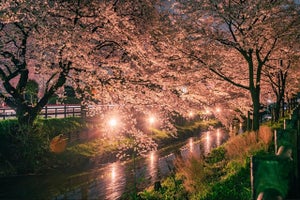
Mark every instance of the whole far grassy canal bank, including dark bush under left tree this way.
pixel 85 149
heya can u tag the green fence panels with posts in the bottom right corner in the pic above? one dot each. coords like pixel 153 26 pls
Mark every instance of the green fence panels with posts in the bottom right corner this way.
pixel 276 176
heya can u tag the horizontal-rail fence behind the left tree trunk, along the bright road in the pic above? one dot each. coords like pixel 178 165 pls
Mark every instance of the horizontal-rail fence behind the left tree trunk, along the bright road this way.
pixel 49 111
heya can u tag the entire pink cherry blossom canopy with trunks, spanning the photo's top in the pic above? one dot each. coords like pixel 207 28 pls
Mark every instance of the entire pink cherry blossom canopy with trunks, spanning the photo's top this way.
pixel 149 56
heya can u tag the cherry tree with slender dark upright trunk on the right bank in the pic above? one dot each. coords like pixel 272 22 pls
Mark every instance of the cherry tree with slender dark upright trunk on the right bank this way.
pixel 236 39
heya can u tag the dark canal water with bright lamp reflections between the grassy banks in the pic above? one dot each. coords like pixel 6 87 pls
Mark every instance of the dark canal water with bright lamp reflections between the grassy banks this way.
pixel 109 181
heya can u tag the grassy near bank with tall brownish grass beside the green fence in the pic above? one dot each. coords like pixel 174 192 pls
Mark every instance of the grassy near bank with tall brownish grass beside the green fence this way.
pixel 223 174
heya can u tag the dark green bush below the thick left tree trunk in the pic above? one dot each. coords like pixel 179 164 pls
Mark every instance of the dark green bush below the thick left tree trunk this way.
pixel 21 149
